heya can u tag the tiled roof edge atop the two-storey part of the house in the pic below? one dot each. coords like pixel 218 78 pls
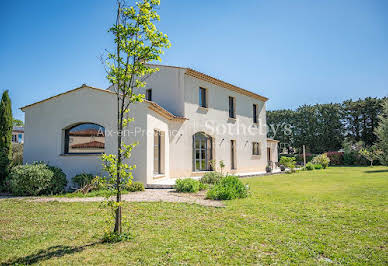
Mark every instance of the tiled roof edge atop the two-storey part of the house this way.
pixel 215 81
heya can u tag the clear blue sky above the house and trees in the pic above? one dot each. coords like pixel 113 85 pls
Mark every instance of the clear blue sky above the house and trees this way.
pixel 293 51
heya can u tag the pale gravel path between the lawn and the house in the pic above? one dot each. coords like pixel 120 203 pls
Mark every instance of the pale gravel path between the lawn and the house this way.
pixel 149 195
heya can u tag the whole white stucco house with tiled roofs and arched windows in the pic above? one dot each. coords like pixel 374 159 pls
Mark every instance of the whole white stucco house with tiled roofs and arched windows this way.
pixel 188 120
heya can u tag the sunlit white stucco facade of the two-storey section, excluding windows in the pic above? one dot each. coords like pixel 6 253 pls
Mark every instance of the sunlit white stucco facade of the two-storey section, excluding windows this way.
pixel 216 116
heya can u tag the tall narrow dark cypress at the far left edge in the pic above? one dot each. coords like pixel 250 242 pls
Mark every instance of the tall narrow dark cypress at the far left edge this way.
pixel 5 136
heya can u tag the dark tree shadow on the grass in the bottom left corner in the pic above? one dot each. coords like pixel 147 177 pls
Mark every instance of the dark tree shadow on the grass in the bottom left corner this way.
pixel 46 254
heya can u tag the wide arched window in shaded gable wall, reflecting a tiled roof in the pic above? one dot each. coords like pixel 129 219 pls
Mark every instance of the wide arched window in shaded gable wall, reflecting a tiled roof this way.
pixel 85 138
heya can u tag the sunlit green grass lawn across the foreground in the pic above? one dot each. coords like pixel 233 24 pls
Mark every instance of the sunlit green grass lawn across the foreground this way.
pixel 311 217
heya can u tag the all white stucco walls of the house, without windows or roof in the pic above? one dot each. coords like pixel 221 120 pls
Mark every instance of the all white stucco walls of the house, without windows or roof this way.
pixel 177 93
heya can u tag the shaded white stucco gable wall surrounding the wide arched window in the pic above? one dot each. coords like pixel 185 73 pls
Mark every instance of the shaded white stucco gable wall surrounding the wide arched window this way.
pixel 45 124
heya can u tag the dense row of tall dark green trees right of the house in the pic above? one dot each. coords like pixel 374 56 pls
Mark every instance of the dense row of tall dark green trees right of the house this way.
pixel 324 127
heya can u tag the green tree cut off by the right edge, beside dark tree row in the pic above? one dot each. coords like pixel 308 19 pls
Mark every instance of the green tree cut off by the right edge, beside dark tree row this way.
pixel 382 134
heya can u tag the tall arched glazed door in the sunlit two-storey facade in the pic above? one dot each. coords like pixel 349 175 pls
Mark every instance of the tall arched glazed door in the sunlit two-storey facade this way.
pixel 202 152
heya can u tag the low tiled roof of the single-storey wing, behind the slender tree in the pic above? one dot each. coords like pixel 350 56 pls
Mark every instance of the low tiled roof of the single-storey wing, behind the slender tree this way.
pixel 152 105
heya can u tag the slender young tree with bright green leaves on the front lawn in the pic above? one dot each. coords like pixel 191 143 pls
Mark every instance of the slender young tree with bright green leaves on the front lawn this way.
pixel 137 41
